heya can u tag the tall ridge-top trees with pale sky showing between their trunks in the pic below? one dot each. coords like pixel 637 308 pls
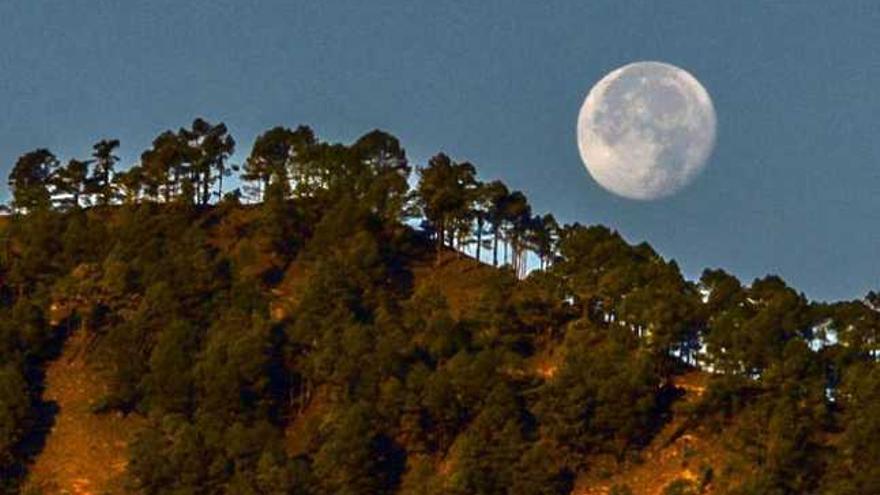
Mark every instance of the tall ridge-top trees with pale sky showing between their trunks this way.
pixel 191 164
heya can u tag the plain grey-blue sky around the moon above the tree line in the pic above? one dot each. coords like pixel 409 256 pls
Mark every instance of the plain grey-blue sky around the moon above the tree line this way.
pixel 793 186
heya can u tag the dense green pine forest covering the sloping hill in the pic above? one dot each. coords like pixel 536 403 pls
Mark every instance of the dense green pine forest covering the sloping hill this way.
pixel 225 316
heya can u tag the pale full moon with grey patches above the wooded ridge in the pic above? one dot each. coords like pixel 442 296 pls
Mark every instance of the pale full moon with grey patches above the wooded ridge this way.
pixel 646 130
